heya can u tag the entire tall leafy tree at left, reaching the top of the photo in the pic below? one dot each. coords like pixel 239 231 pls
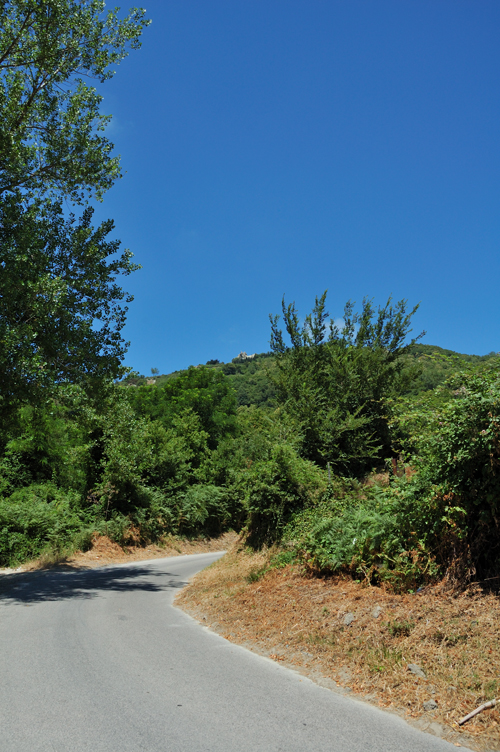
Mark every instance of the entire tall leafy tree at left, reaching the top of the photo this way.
pixel 61 310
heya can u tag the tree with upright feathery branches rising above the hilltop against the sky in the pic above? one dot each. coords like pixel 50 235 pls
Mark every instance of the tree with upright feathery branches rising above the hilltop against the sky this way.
pixel 335 382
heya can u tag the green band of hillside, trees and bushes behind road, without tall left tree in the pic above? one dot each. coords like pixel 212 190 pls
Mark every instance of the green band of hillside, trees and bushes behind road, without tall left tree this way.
pixel 353 462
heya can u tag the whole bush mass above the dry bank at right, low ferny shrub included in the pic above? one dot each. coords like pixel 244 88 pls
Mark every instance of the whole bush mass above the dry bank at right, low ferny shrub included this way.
pixel 441 517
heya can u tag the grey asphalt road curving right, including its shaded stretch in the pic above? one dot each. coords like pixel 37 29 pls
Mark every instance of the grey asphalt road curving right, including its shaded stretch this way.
pixel 100 660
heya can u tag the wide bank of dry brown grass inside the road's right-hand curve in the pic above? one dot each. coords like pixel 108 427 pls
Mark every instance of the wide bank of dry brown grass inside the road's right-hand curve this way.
pixel 300 620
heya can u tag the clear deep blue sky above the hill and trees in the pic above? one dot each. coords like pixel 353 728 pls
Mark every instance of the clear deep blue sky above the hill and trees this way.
pixel 288 146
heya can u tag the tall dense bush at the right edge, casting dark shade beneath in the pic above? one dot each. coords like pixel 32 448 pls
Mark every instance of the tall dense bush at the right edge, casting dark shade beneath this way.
pixel 458 454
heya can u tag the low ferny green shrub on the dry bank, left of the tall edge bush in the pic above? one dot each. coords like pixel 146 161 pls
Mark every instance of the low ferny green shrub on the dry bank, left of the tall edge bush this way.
pixel 377 533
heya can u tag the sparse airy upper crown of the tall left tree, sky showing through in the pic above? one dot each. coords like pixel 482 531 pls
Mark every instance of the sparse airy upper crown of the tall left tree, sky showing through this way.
pixel 52 136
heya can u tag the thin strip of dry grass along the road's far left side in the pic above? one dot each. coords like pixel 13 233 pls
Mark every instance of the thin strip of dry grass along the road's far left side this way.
pixel 105 551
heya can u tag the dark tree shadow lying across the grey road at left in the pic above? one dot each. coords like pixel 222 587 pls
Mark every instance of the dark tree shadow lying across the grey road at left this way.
pixel 34 587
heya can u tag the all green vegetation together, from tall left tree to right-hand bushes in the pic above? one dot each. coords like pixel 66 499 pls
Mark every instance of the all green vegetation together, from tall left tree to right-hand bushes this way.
pixel 357 449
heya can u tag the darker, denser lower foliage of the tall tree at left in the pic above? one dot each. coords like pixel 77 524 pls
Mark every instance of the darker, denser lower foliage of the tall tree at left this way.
pixel 61 309
